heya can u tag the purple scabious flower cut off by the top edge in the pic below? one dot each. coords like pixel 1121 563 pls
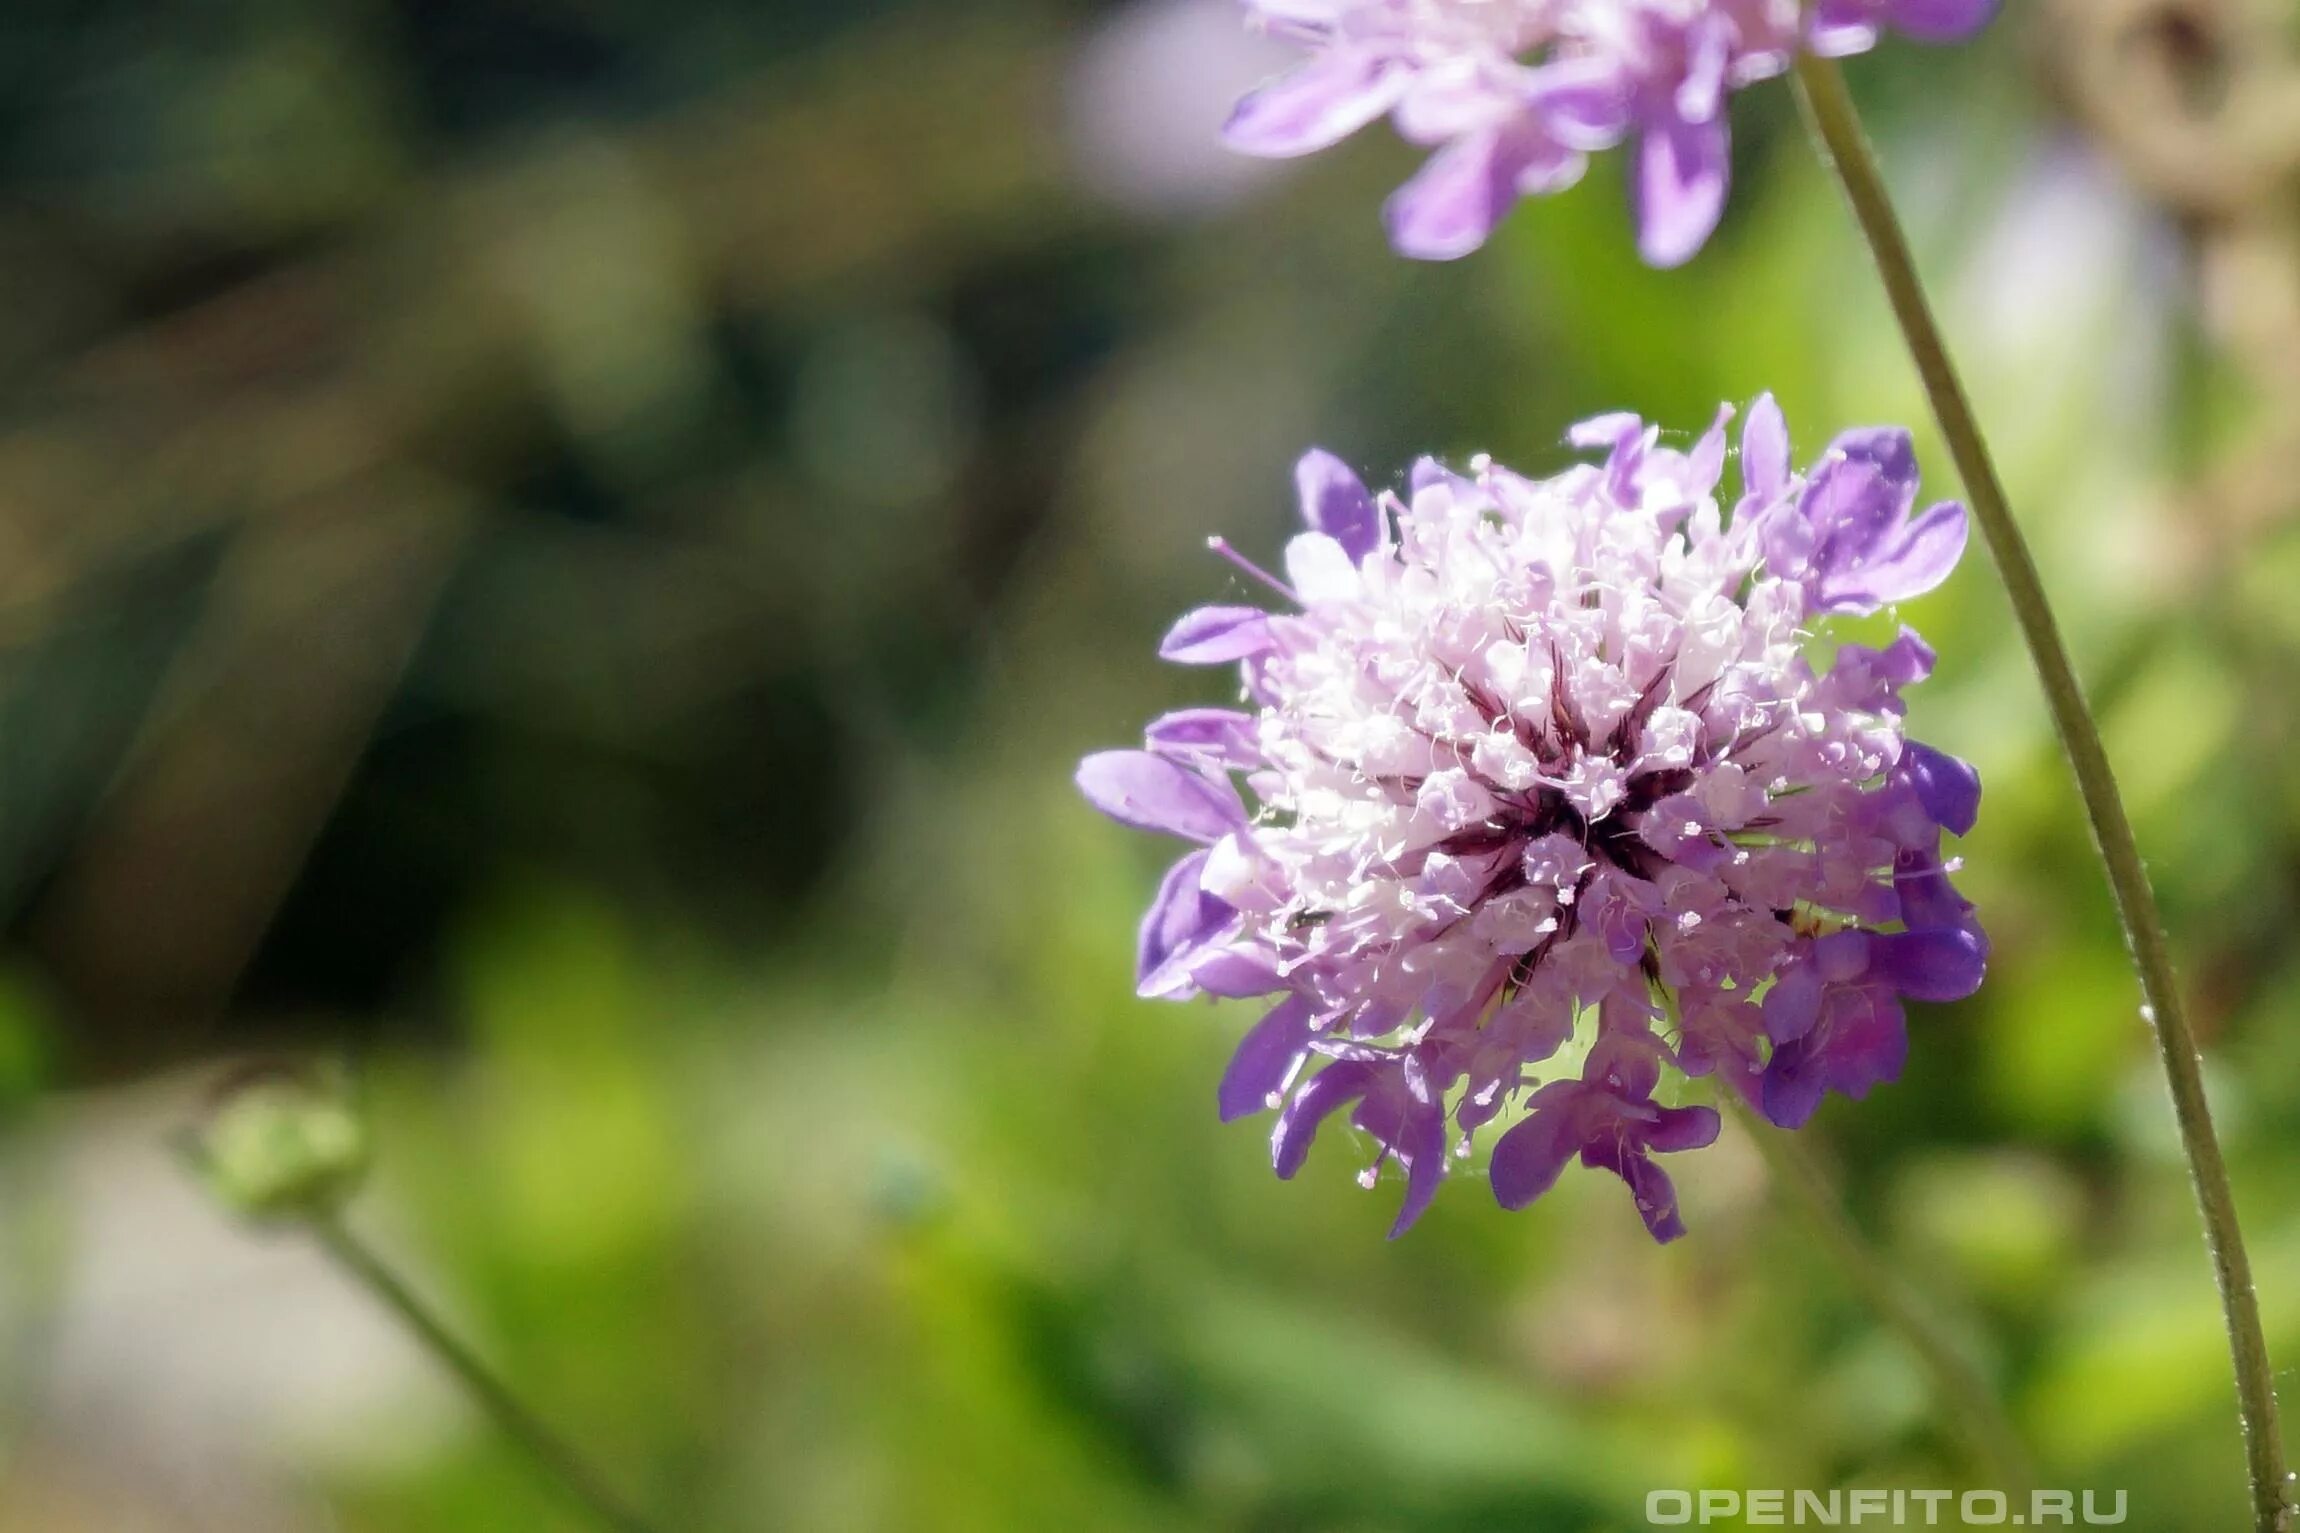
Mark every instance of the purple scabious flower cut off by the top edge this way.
pixel 1515 95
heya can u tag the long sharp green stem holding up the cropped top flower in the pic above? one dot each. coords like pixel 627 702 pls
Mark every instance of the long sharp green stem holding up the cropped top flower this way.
pixel 1837 128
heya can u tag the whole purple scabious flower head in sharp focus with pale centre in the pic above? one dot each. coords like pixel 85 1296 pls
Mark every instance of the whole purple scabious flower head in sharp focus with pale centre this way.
pixel 1551 801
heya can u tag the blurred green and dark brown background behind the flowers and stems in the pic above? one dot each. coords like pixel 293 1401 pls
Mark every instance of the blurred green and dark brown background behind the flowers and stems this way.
pixel 562 553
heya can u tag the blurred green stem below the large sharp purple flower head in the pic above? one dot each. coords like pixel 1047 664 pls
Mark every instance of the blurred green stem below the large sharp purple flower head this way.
pixel 1963 1394
